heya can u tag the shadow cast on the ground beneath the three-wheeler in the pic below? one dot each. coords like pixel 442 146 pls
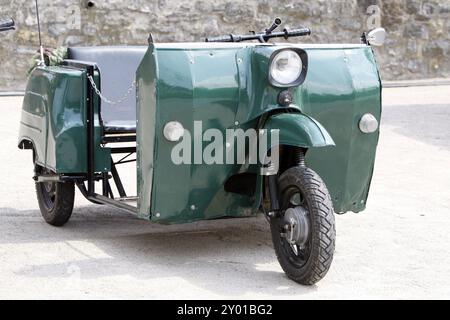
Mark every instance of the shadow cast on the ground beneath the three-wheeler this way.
pixel 202 253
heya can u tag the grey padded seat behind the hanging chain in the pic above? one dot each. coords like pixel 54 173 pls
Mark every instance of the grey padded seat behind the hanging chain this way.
pixel 117 67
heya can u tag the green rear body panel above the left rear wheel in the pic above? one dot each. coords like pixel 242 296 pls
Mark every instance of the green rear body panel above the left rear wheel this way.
pixel 54 120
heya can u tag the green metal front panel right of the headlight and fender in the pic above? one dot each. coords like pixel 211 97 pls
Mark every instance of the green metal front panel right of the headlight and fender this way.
pixel 341 86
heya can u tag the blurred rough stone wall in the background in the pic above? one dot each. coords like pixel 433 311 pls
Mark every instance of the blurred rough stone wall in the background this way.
pixel 417 46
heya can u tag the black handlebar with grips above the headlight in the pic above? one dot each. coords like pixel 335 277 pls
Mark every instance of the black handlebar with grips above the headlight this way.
pixel 262 37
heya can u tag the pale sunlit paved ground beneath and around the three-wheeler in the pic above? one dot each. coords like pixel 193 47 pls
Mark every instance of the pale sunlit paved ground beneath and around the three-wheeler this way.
pixel 398 248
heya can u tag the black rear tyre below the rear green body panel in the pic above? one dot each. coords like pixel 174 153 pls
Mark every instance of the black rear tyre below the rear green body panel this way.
pixel 61 209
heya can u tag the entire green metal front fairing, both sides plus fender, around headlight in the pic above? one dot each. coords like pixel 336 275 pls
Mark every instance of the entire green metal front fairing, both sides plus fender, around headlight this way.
pixel 227 87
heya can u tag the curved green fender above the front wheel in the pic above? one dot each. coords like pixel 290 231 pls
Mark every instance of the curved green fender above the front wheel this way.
pixel 297 129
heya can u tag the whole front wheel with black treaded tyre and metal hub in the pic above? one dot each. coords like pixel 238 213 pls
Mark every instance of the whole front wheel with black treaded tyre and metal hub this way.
pixel 303 233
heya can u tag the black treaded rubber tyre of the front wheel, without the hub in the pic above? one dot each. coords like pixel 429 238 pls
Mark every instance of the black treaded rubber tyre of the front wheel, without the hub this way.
pixel 321 242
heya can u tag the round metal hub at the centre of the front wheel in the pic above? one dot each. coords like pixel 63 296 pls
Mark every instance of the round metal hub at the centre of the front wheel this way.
pixel 296 226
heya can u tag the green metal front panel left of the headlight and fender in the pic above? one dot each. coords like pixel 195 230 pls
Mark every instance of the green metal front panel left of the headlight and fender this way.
pixel 191 85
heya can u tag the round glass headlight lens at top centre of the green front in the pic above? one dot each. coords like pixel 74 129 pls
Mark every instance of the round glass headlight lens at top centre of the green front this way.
pixel 286 67
